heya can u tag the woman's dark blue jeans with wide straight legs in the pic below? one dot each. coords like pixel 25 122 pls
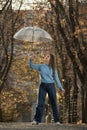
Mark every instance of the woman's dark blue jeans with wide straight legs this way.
pixel 50 89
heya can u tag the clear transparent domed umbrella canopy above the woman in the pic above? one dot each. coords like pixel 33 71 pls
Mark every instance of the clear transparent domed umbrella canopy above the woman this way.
pixel 33 34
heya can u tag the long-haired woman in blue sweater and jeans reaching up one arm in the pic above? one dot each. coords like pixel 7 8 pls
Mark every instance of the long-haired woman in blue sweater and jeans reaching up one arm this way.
pixel 48 74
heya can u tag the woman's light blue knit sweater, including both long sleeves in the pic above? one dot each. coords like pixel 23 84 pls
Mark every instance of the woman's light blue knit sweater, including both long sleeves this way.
pixel 46 73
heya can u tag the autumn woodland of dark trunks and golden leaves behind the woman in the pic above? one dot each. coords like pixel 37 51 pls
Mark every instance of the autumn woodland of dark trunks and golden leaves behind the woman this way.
pixel 66 21
